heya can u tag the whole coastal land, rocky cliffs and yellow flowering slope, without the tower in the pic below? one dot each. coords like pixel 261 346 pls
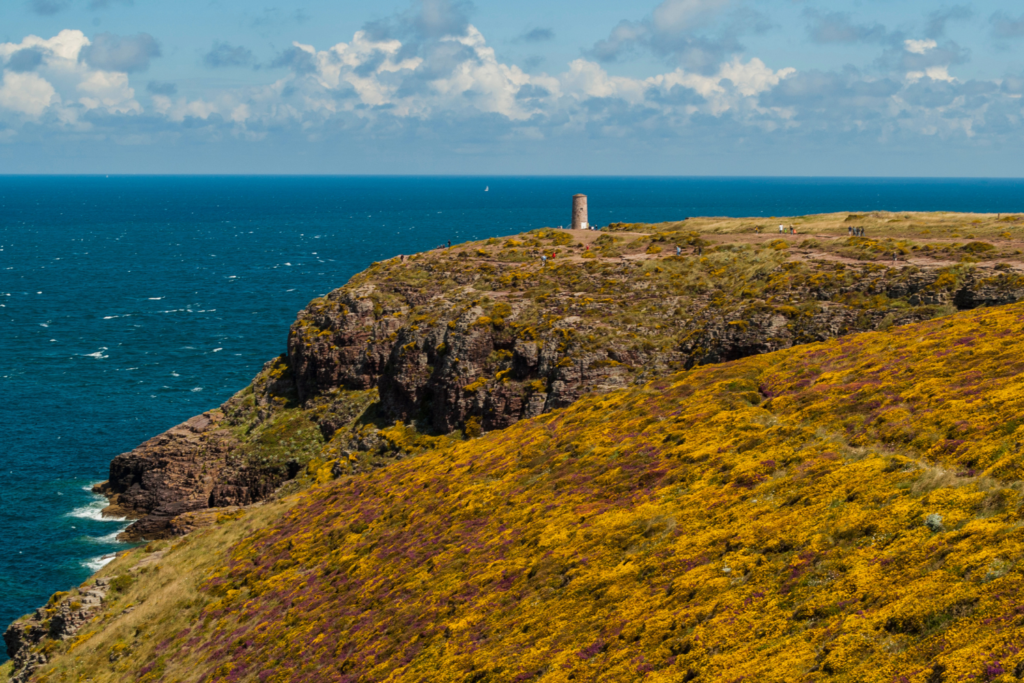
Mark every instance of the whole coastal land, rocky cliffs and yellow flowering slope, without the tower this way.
pixel 690 451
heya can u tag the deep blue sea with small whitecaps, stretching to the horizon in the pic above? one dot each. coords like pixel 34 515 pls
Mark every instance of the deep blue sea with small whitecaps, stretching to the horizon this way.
pixel 130 305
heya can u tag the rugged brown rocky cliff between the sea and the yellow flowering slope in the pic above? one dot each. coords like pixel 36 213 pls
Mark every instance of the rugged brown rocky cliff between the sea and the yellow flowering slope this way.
pixel 483 336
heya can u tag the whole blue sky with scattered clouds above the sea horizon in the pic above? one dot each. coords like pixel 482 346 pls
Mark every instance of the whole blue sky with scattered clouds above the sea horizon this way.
pixel 688 88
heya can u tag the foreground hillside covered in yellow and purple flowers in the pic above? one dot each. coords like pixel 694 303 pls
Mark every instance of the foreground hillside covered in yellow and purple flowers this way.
pixel 761 520
